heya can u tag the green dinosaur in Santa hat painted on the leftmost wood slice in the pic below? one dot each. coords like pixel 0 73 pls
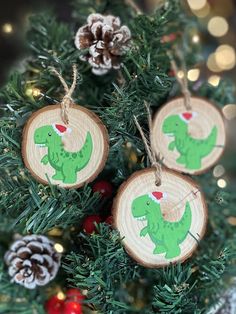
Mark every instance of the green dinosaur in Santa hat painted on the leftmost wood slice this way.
pixel 66 164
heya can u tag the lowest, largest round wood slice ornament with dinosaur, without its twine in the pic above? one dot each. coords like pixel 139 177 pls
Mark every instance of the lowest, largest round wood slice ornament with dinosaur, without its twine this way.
pixel 160 224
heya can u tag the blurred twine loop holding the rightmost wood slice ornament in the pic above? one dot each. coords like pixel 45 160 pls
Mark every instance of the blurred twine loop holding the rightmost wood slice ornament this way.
pixel 183 82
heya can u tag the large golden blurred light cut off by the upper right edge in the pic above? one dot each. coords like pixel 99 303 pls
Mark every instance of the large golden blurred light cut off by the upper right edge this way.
pixel 225 57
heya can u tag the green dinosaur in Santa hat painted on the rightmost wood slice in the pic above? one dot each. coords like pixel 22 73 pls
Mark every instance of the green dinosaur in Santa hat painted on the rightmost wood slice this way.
pixel 191 150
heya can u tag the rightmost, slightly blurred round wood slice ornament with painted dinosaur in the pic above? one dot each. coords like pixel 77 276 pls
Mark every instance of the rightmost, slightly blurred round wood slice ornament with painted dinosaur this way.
pixel 189 141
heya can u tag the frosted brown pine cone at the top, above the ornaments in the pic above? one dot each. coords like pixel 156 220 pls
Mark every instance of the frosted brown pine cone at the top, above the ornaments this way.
pixel 105 41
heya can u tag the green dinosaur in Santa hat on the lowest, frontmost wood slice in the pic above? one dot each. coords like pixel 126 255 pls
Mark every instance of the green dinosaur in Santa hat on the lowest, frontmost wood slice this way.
pixel 167 236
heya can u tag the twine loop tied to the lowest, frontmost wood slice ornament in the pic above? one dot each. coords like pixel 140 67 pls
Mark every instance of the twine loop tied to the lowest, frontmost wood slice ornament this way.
pixel 149 145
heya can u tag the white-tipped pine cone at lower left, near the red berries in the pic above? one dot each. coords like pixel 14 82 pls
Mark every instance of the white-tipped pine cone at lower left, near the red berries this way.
pixel 32 261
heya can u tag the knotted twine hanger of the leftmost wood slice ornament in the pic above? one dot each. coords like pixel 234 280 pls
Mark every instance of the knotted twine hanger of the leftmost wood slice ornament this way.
pixel 67 99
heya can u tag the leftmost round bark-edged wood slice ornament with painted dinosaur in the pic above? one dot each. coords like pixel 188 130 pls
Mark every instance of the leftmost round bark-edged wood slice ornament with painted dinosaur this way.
pixel 71 155
